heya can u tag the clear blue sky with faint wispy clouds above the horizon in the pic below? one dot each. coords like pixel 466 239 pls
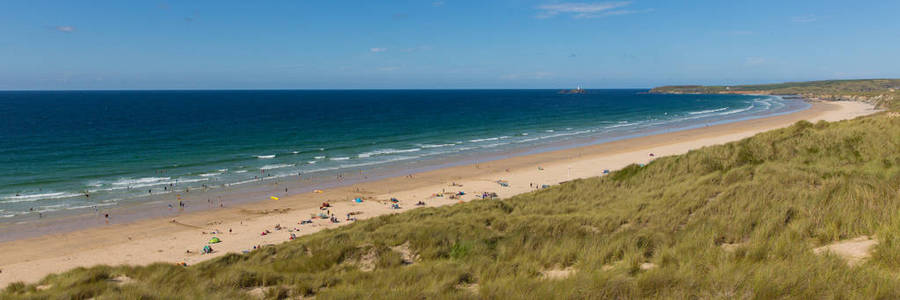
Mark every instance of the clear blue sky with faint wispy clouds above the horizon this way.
pixel 440 44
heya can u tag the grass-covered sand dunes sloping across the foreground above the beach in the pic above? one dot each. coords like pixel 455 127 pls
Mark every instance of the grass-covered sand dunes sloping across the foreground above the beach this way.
pixel 736 220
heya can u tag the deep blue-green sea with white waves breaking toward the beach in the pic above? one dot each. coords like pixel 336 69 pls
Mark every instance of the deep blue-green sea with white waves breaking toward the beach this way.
pixel 71 151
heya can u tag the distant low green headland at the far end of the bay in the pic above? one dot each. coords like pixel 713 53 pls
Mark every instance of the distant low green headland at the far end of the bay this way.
pixel 882 92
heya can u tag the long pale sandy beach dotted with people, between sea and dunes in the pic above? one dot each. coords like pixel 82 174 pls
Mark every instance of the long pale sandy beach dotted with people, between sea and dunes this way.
pixel 240 228
